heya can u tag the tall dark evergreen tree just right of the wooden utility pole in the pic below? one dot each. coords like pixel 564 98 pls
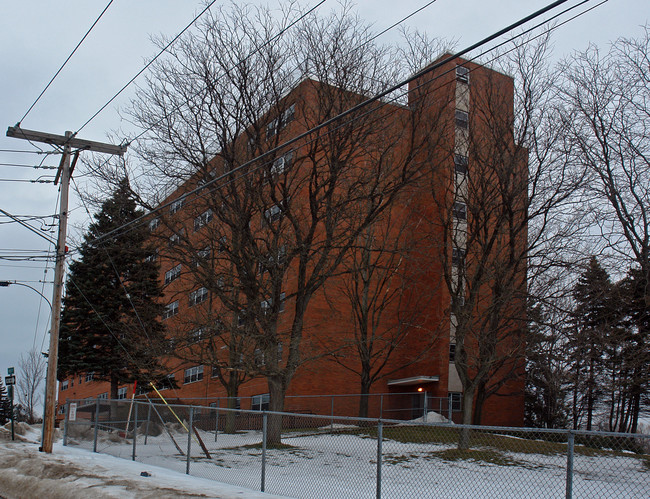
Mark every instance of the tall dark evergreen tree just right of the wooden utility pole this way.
pixel 111 318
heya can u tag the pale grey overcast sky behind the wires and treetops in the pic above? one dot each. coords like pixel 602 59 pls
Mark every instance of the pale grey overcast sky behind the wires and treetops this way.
pixel 36 36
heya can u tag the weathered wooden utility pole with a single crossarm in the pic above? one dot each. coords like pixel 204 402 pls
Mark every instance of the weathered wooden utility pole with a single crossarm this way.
pixel 64 173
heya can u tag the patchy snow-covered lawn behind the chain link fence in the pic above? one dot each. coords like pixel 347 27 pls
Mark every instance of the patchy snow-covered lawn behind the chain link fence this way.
pixel 343 464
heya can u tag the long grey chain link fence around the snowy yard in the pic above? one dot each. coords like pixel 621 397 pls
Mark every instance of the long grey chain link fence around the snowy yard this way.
pixel 298 455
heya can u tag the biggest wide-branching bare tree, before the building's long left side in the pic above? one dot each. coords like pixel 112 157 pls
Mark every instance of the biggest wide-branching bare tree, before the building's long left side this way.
pixel 278 221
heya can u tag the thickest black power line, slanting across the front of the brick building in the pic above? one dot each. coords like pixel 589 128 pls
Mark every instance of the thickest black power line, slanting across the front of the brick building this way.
pixel 350 111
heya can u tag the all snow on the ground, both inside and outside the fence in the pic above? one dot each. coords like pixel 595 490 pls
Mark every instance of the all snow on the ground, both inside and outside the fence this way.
pixel 316 463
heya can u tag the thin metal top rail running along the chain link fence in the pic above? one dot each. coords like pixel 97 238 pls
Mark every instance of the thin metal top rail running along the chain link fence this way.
pixel 400 422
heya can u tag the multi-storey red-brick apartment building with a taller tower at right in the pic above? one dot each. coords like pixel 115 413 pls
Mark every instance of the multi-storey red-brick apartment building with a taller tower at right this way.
pixel 390 297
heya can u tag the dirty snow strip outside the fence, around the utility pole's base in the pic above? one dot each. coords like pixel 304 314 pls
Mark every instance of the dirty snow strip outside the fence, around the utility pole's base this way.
pixel 75 473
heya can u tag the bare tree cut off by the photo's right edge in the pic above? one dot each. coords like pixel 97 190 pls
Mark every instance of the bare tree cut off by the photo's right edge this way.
pixel 605 98
